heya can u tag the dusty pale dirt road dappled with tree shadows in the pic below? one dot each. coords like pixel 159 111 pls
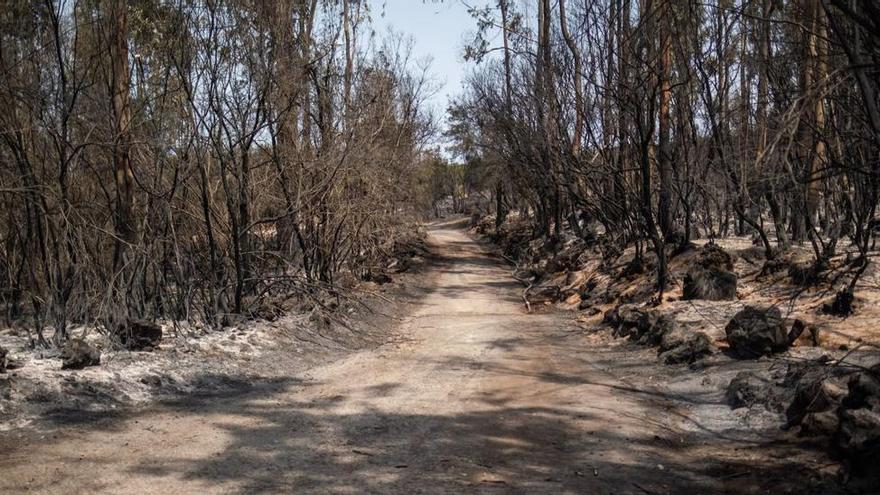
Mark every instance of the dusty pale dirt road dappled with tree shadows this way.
pixel 468 393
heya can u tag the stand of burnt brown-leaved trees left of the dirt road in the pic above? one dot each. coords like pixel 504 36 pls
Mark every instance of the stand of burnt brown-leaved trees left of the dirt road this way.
pixel 198 162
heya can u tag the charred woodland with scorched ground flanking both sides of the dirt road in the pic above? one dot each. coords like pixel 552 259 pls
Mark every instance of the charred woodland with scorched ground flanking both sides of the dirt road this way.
pixel 698 178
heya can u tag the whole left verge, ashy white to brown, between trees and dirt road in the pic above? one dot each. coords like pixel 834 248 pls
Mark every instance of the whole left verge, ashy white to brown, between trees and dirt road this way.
pixel 91 374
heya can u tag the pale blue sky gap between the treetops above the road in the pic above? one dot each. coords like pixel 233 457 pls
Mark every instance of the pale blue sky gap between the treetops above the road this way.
pixel 439 31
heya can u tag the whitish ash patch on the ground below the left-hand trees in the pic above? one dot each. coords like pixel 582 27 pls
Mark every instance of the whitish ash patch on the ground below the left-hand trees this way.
pixel 37 384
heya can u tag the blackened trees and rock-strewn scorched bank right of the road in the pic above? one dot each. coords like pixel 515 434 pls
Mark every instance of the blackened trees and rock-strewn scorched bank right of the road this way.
pixel 683 172
